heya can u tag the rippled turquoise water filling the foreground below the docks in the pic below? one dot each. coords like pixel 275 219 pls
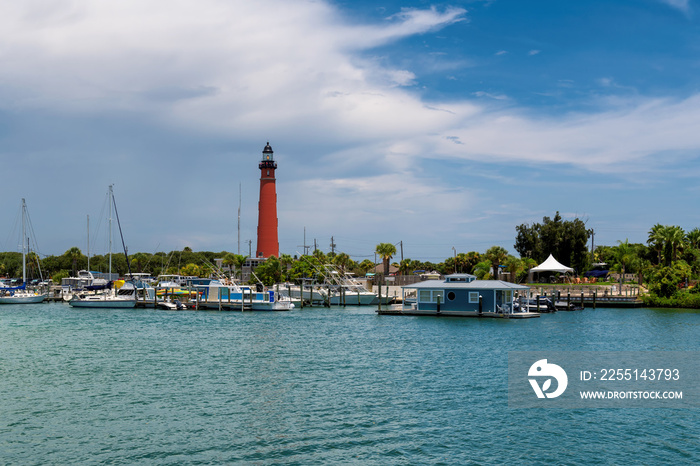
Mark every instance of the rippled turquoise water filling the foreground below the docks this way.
pixel 316 386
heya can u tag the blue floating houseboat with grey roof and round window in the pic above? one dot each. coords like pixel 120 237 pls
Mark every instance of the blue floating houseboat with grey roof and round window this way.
pixel 462 295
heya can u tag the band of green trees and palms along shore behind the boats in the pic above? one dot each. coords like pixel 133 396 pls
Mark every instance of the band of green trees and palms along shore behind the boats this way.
pixel 666 269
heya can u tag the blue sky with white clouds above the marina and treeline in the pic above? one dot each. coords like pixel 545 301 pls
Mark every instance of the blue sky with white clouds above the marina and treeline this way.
pixel 439 125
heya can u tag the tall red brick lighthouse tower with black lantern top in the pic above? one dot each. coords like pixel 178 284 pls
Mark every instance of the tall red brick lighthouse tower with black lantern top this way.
pixel 268 244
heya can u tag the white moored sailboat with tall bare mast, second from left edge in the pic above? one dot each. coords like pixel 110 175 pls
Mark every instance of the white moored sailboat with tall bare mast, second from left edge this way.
pixel 121 294
